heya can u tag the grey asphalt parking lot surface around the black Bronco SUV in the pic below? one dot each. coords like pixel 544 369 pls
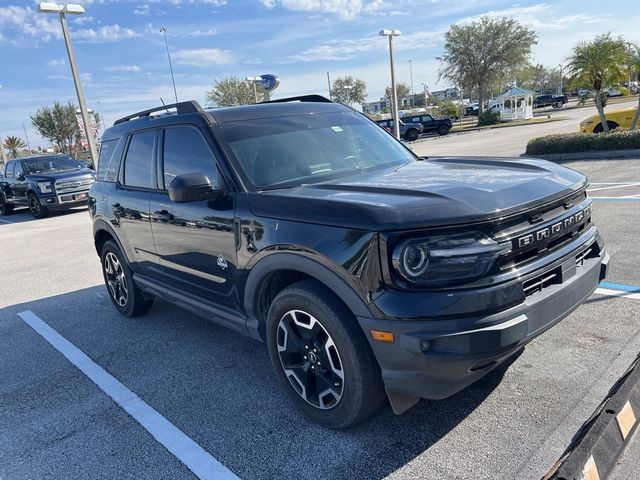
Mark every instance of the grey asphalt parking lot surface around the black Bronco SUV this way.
pixel 217 387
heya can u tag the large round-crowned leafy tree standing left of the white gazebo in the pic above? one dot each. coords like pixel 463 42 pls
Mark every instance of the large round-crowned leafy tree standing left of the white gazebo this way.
pixel 486 51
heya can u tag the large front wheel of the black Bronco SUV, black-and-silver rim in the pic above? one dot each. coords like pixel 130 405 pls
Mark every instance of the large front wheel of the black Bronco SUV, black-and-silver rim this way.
pixel 321 357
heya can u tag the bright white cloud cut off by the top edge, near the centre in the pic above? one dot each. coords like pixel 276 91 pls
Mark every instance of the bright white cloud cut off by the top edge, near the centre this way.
pixel 345 9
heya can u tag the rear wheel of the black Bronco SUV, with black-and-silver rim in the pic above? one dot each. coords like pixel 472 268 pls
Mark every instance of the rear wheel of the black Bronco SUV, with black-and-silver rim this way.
pixel 123 292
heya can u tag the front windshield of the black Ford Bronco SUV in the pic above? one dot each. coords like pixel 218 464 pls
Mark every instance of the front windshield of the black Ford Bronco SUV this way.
pixel 311 148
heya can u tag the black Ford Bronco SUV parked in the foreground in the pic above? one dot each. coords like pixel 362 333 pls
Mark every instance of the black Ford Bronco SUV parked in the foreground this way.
pixel 369 272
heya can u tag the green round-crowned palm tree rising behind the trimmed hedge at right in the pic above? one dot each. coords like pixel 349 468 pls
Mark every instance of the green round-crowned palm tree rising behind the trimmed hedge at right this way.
pixel 601 62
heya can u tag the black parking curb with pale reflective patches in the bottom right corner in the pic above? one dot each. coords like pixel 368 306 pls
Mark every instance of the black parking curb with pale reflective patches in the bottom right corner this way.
pixel 595 449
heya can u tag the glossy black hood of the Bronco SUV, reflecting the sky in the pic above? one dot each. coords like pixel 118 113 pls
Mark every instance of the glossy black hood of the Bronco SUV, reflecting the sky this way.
pixel 430 193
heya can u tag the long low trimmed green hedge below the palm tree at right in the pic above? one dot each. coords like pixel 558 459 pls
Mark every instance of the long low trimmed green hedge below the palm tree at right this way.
pixel 619 139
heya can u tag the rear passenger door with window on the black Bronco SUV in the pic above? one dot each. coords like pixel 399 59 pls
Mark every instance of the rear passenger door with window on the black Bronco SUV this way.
pixel 129 201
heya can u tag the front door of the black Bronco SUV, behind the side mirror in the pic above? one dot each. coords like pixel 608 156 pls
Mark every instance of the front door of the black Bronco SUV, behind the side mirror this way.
pixel 195 241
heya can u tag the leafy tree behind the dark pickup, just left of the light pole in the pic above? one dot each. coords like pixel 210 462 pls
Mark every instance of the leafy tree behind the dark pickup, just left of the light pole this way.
pixel 58 124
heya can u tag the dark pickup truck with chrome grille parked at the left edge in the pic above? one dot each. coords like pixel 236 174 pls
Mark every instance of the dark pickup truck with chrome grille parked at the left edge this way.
pixel 43 184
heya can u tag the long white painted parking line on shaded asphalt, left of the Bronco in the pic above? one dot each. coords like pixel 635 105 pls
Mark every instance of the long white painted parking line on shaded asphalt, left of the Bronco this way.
pixel 200 462
